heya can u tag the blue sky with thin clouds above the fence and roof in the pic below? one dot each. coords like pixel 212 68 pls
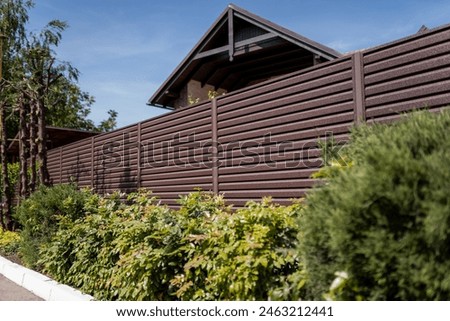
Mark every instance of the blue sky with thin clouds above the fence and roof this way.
pixel 126 48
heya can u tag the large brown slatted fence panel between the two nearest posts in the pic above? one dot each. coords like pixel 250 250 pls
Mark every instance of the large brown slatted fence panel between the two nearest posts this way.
pixel 268 135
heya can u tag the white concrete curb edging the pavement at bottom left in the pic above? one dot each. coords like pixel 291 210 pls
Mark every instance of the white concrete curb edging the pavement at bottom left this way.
pixel 39 284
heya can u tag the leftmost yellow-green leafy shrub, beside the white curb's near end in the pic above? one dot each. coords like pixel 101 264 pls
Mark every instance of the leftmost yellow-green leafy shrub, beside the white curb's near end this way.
pixel 82 252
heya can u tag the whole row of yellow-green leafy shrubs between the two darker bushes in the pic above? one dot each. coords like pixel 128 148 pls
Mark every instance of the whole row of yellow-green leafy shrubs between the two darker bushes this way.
pixel 142 250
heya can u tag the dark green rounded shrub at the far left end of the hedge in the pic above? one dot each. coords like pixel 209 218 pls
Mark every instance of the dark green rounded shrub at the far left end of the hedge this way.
pixel 40 214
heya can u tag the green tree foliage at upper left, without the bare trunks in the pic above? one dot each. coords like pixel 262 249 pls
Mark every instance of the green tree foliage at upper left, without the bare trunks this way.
pixel 68 105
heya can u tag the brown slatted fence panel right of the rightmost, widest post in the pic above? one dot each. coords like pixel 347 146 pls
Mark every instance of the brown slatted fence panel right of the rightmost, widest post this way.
pixel 410 74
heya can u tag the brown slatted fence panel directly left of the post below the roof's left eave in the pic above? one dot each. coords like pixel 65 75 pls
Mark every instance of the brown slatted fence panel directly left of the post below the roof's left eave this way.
pixel 176 153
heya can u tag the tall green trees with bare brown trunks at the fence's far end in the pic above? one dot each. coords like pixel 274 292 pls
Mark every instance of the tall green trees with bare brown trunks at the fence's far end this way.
pixel 37 90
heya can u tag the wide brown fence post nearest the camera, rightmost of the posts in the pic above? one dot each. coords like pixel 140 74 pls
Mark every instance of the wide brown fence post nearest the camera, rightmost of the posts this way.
pixel 358 88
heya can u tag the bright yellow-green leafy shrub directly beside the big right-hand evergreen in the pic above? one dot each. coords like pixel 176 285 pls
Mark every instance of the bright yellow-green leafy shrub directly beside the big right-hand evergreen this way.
pixel 245 255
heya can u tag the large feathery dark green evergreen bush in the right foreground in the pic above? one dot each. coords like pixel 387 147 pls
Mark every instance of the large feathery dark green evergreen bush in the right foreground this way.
pixel 383 223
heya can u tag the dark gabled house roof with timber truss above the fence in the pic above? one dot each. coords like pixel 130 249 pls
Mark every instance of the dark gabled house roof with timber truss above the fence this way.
pixel 238 48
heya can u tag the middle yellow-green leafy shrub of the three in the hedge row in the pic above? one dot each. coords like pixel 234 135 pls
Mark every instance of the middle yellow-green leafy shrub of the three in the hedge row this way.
pixel 157 252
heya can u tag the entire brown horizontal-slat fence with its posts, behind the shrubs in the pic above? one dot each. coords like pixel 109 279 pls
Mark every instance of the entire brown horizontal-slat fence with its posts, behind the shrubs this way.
pixel 263 140
